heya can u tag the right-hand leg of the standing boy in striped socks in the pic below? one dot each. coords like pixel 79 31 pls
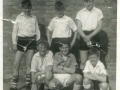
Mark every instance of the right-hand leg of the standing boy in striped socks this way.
pixel 29 56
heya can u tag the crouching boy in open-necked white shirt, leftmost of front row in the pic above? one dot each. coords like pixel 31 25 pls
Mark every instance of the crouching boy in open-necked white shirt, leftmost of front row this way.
pixel 41 65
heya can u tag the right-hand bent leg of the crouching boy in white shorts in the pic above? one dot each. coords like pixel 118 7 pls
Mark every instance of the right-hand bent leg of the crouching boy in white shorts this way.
pixel 75 79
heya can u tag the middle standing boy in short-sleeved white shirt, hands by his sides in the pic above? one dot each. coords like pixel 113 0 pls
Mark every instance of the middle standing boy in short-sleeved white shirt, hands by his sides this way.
pixel 60 27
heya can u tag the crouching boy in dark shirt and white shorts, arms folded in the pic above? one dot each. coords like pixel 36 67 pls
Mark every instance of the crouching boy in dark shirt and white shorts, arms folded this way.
pixel 64 69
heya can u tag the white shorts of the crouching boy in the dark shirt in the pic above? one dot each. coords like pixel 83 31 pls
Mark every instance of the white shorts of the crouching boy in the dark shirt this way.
pixel 63 78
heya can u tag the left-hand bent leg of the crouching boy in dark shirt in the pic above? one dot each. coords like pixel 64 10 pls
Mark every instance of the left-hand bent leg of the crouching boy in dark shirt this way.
pixel 55 83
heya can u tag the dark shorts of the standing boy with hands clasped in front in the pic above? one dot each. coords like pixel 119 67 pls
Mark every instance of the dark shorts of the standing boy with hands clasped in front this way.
pixel 94 40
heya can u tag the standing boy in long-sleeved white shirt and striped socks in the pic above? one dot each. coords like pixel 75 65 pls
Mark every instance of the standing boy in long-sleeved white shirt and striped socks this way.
pixel 24 36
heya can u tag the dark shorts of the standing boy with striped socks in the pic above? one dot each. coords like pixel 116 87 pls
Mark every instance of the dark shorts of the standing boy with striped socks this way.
pixel 26 43
